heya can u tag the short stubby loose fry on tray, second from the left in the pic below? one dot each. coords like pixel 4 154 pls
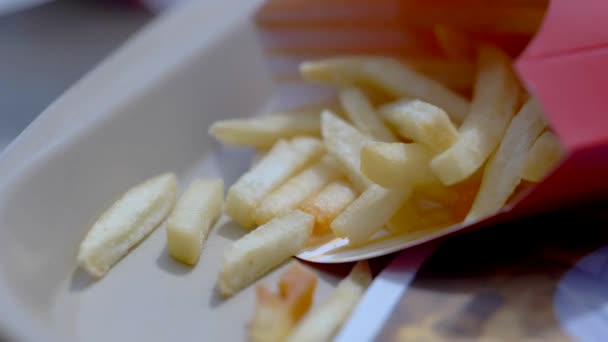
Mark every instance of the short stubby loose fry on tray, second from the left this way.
pixel 196 211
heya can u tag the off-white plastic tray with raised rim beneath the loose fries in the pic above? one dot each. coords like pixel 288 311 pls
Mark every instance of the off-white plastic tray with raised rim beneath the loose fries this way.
pixel 144 111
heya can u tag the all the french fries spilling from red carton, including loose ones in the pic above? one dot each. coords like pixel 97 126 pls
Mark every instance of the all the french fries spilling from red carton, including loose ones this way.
pixel 422 156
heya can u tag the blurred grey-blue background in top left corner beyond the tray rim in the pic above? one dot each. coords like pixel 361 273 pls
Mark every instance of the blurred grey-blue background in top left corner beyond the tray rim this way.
pixel 45 46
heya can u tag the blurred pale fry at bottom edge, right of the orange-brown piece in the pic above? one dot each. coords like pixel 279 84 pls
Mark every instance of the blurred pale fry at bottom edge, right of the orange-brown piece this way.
pixel 324 321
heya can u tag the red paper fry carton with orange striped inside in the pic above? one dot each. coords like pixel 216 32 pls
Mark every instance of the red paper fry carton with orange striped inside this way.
pixel 564 65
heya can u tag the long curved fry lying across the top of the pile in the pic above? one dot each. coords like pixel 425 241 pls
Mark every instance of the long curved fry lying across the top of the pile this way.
pixel 388 74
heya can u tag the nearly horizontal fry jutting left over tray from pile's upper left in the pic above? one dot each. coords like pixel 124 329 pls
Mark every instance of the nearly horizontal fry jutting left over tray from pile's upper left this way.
pixel 264 131
